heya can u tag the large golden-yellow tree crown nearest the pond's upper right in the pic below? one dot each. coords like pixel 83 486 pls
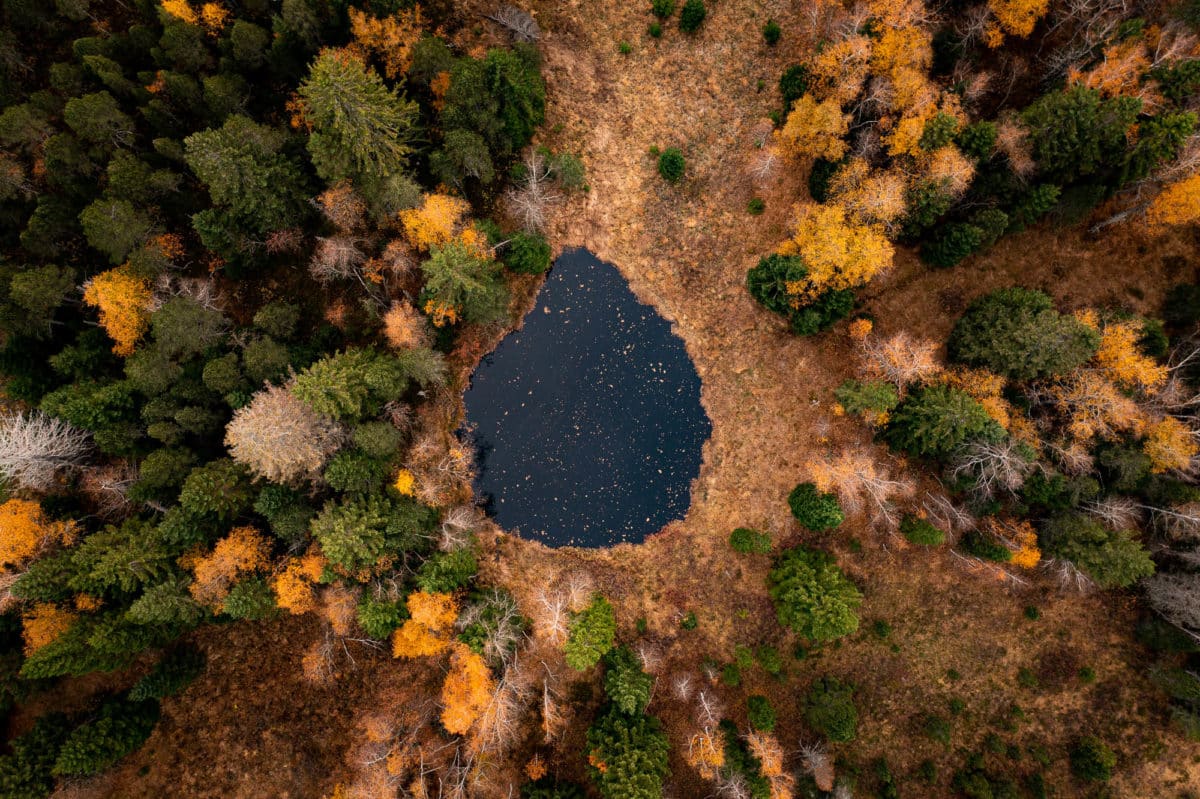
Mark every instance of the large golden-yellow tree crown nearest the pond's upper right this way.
pixel 838 253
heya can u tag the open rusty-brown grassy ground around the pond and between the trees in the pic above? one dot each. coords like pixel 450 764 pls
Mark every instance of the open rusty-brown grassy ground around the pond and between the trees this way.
pixel 251 728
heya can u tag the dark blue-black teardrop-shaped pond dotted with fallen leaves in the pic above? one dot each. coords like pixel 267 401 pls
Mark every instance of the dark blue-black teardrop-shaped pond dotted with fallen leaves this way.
pixel 587 420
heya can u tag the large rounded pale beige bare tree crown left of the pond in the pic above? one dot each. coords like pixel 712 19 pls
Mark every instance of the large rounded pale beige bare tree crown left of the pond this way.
pixel 281 438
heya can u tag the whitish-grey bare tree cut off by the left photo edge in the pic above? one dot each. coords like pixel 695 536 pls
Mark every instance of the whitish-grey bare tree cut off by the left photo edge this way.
pixel 37 449
